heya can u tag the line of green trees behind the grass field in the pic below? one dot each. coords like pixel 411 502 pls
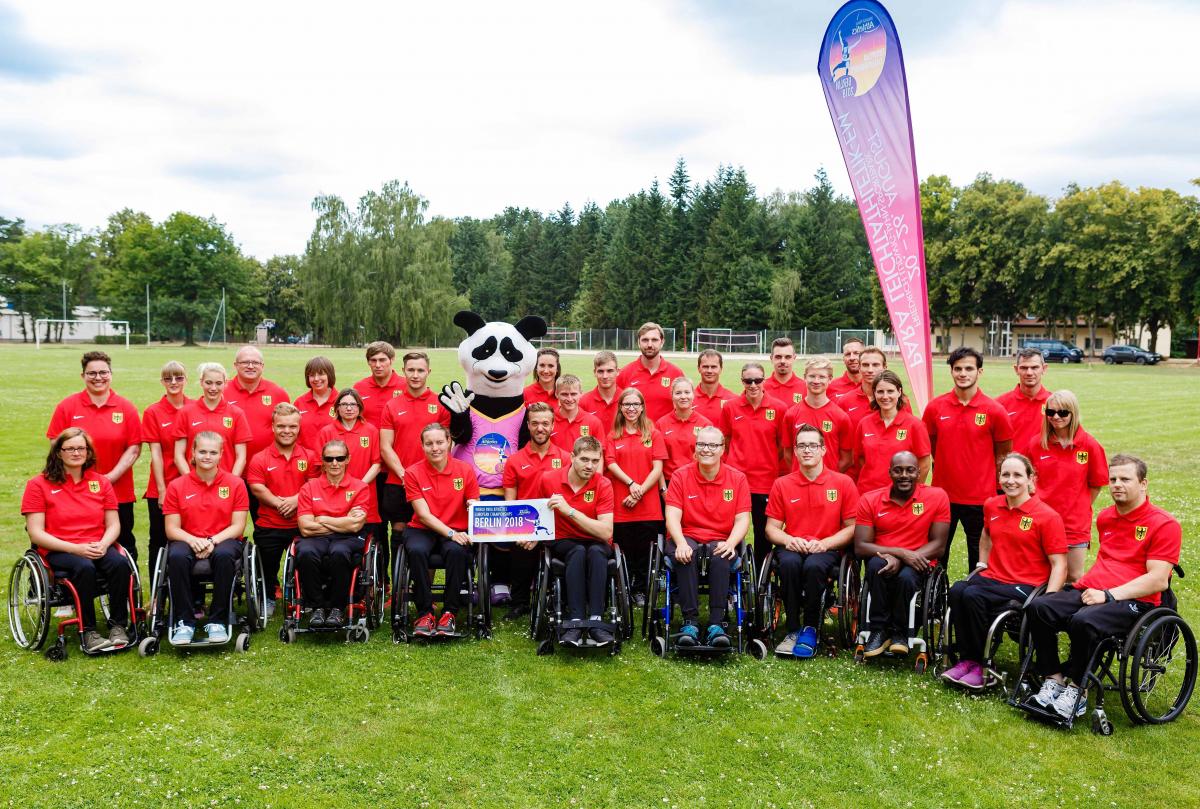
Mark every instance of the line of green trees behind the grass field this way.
pixel 712 254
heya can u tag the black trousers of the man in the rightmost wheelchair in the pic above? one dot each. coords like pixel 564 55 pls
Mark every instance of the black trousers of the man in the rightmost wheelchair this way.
pixel 1087 626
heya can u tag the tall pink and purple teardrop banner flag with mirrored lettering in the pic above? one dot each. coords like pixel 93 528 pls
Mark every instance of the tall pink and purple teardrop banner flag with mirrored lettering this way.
pixel 862 75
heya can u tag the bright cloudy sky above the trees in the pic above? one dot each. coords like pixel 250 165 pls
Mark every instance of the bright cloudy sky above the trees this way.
pixel 245 111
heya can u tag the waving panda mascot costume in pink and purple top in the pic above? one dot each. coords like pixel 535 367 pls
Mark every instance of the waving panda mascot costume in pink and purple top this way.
pixel 488 417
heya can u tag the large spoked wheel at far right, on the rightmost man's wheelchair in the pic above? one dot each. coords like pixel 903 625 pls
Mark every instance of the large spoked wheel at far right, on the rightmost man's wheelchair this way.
pixel 1161 673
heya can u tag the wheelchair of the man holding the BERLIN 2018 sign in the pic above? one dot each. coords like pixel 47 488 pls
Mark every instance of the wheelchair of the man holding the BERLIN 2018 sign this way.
pixel 547 621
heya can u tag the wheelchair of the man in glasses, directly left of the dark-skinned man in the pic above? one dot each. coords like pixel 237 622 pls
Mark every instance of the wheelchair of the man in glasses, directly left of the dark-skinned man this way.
pixel 842 597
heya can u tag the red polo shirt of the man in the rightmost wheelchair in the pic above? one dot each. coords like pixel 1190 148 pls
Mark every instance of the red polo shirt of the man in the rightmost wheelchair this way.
pixel 1129 542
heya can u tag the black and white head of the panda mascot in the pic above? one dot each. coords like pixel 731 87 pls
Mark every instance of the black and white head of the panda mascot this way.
pixel 499 357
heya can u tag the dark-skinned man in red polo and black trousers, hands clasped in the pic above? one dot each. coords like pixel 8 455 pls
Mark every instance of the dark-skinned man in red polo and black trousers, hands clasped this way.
pixel 902 534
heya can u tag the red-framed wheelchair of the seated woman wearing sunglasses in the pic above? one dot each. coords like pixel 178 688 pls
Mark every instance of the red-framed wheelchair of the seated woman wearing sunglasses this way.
pixel 367 598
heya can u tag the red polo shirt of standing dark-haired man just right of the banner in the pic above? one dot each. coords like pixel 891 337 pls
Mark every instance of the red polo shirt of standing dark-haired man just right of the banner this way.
pixel 964 439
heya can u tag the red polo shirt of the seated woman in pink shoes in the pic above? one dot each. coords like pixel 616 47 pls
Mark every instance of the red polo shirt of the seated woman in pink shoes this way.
pixel 1022 541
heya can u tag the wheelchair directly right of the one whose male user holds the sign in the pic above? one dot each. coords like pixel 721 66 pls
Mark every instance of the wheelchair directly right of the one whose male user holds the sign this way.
pixel 661 606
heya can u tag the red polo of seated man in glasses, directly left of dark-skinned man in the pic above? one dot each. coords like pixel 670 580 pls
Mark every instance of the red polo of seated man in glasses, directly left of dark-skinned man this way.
pixel 813 510
